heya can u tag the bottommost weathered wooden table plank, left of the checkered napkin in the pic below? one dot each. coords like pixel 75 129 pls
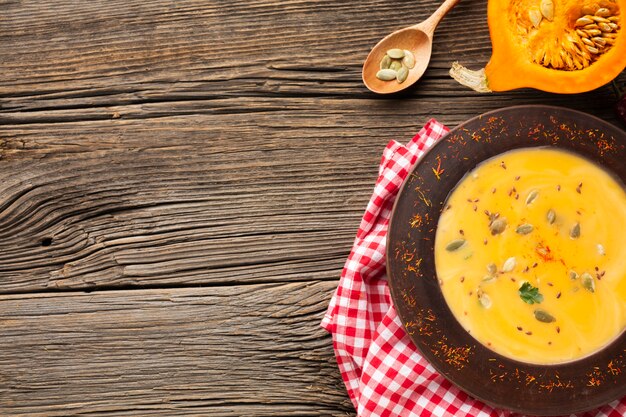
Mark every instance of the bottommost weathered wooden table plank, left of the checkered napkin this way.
pixel 226 351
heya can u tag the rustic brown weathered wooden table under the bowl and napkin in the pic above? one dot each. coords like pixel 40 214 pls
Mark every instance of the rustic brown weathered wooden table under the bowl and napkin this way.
pixel 180 184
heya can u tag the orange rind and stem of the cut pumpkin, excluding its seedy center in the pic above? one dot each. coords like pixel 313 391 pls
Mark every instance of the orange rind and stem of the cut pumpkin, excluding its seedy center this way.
pixel 512 67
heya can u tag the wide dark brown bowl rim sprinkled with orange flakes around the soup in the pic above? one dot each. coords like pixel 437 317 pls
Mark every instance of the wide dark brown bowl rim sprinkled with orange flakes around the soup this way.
pixel 502 382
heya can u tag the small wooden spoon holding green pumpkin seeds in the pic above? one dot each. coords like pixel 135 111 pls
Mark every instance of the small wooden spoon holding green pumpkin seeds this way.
pixel 418 39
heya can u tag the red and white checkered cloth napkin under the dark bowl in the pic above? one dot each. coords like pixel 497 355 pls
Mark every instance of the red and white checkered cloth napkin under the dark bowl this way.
pixel 381 367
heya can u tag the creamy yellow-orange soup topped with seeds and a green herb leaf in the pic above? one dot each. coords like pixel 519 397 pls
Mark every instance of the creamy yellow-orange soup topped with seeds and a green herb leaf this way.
pixel 530 253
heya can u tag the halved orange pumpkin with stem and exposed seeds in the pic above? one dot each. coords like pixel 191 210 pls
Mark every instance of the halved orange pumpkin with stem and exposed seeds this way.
pixel 559 46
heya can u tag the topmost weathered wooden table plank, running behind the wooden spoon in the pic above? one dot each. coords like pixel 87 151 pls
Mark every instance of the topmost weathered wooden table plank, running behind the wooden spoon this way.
pixel 100 53
